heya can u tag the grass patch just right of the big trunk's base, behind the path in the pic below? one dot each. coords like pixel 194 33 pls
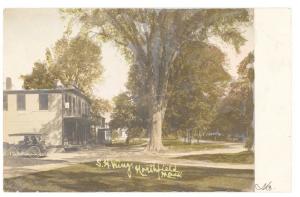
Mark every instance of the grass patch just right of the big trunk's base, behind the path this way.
pixel 181 146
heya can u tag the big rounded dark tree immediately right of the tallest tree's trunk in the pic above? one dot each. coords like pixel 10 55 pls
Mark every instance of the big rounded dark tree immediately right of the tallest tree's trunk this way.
pixel 195 88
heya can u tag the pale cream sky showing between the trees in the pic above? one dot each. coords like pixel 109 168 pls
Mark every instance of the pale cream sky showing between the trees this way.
pixel 28 32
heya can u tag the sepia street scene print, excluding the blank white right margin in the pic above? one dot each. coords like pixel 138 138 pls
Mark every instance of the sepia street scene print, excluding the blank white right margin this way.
pixel 127 100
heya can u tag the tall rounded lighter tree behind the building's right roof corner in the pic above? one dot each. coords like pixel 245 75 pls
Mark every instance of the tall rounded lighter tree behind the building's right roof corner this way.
pixel 76 62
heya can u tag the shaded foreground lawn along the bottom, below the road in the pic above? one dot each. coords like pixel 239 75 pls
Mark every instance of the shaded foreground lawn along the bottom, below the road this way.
pixel 88 177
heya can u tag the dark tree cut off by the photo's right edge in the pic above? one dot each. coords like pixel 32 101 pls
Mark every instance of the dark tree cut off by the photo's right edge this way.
pixel 235 113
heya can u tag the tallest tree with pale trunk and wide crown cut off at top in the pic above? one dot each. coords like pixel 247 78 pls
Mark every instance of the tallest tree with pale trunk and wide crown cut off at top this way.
pixel 152 39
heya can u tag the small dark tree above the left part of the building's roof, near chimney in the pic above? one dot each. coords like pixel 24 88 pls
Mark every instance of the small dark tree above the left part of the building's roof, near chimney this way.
pixel 40 77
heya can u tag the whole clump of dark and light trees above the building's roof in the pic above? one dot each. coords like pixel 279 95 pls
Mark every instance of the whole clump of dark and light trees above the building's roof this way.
pixel 72 61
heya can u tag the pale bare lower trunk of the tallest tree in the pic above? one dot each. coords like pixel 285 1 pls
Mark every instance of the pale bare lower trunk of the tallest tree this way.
pixel 155 143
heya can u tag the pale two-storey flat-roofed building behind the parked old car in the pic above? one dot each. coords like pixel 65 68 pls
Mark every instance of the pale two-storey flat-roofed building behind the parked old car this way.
pixel 62 115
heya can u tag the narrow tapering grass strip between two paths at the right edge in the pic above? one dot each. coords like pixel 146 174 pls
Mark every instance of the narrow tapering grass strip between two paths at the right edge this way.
pixel 246 157
